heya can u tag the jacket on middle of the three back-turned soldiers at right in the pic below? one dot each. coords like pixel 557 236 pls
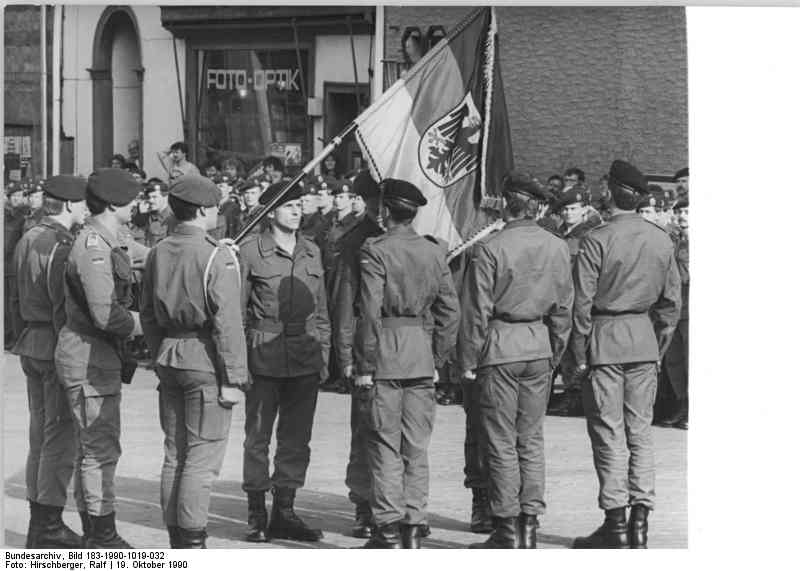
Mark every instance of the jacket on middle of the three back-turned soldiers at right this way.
pixel 517 298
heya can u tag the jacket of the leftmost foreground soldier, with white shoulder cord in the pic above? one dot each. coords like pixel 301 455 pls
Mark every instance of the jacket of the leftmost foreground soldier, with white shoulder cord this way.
pixel 39 262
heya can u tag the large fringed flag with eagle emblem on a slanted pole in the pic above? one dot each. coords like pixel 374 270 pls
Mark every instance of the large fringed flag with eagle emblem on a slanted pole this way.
pixel 444 128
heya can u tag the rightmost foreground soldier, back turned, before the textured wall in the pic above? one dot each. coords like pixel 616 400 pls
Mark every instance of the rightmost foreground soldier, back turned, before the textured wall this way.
pixel 625 274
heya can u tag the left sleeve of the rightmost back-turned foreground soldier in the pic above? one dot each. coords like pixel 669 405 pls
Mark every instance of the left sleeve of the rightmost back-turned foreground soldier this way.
pixel 585 274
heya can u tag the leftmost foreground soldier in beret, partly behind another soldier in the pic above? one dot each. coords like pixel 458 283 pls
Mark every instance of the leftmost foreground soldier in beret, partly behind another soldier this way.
pixel 39 267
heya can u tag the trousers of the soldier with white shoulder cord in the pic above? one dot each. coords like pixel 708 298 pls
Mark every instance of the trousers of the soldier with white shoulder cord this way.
pixel 196 431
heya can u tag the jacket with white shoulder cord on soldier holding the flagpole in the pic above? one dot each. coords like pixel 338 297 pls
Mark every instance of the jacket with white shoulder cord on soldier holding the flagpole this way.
pixel 184 328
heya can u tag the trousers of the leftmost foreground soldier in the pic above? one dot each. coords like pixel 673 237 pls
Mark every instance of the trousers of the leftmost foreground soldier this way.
pixel 51 437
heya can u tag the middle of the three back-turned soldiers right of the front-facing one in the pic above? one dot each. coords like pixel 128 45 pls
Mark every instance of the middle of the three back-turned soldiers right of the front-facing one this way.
pixel 516 308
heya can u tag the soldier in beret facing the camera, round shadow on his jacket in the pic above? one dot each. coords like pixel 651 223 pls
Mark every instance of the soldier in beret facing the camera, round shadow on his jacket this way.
pixel 288 341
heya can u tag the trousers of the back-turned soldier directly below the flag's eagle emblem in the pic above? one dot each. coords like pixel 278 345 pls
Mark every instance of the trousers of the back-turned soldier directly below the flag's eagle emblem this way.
pixel 400 423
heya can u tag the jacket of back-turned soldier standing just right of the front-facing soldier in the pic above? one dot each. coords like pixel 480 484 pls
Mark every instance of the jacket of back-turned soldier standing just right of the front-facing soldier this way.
pixel 407 307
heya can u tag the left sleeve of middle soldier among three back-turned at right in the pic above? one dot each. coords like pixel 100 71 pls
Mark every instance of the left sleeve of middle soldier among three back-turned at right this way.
pixel 476 307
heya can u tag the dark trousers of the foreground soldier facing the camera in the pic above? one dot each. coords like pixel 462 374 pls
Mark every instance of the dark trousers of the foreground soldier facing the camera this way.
pixel 293 401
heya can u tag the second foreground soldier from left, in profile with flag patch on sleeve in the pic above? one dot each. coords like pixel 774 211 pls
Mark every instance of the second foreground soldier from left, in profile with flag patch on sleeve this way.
pixel 88 357
